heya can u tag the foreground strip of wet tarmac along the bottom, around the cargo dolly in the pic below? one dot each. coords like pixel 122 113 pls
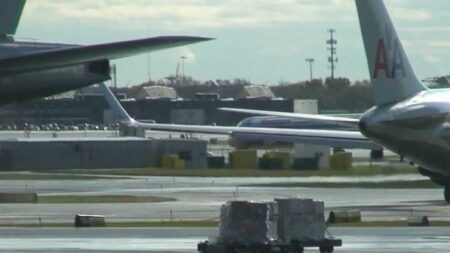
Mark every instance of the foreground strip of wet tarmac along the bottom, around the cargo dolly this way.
pixel 180 240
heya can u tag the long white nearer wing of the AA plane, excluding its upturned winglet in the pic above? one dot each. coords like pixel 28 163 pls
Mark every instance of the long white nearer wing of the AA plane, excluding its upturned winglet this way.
pixel 331 138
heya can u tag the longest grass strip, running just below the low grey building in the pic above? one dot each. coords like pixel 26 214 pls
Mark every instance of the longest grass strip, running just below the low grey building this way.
pixel 356 171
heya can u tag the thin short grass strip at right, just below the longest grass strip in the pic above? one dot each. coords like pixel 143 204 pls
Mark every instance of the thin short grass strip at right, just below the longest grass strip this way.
pixel 417 184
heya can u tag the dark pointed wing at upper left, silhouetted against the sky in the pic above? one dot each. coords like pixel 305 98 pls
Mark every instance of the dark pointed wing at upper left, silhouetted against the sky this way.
pixel 82 54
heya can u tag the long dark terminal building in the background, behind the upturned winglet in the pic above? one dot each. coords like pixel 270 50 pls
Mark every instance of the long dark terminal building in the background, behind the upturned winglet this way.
pixel 157 103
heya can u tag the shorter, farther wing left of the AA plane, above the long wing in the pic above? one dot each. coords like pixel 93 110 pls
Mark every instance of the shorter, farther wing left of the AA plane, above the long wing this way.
pixel 335 119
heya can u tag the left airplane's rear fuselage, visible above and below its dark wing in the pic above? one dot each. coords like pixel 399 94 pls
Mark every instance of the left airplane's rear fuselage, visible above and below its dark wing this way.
pixel 16 87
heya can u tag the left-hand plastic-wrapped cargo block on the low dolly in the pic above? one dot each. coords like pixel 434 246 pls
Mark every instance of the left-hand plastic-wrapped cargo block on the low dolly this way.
pixel 245 222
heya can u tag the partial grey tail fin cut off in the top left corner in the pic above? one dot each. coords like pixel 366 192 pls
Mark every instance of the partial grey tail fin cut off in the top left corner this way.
pixel 10 13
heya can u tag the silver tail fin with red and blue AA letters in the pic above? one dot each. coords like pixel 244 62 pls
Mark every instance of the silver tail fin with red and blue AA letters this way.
pixel 392 76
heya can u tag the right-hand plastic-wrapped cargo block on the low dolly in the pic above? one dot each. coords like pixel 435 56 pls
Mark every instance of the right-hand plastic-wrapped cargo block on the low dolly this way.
pixel 300 219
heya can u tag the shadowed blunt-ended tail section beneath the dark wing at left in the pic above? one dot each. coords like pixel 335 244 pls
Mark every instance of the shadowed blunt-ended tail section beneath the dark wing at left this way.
pixel 22 86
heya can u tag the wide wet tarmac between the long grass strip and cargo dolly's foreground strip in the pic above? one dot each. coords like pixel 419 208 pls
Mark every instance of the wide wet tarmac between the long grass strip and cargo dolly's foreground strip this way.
pixel 201 198
